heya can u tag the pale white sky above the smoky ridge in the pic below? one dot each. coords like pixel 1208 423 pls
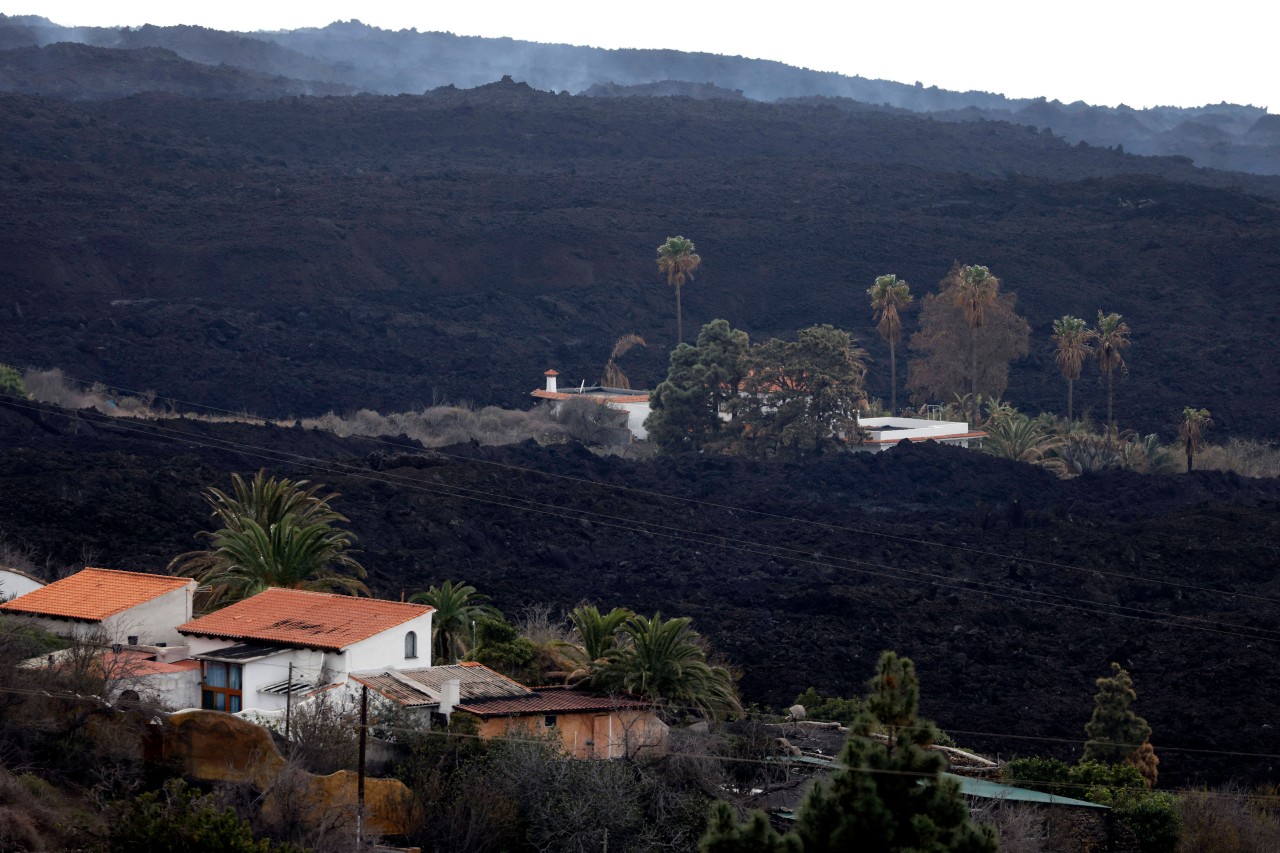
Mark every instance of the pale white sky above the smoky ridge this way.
pixel 1122 52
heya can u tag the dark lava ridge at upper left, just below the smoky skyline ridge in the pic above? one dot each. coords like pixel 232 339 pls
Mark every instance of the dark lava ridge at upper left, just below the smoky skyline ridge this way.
pixel 83 72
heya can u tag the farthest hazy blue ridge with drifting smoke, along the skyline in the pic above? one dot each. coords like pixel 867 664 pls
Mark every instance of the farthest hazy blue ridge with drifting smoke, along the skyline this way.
pixel 396 62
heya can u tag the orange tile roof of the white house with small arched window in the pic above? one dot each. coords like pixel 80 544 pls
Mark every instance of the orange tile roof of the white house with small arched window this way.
pixel 305 619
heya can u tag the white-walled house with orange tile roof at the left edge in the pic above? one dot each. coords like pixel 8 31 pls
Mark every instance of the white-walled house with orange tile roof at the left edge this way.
pixel 107 606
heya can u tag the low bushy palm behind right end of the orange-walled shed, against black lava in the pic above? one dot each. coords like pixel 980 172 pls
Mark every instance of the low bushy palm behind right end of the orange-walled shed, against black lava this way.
pixel 665 662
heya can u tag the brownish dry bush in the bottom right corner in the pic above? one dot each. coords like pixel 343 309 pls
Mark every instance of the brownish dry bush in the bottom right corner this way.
pixel 1229 822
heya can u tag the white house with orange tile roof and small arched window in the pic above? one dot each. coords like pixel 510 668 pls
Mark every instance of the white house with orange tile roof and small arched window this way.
pixel 257 653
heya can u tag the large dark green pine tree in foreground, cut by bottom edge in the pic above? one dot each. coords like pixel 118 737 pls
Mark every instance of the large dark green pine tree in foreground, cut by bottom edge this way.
pixel 885 797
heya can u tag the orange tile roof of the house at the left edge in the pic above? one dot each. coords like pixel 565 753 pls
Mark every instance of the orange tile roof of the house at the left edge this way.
pixel 93 595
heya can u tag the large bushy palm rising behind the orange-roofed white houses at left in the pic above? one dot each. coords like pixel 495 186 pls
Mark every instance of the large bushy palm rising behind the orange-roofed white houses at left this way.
pixel 275 533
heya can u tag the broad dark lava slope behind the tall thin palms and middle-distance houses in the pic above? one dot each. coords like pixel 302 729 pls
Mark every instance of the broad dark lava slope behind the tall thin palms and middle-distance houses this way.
pixel 339 253
